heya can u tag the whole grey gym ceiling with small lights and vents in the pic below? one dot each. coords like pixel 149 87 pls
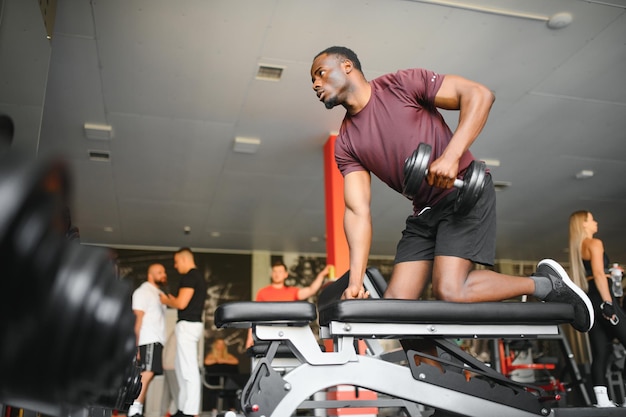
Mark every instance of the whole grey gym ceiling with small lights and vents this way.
pixel 176 82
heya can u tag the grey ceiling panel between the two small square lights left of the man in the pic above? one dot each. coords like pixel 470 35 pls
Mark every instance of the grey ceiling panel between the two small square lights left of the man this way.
pixel 156 157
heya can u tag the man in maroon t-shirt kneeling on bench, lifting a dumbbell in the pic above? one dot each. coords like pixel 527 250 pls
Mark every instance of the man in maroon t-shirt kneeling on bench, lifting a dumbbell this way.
pixel 386 119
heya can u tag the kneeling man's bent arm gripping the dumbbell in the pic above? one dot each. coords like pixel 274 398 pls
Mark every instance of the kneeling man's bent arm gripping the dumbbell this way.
pixel 473 101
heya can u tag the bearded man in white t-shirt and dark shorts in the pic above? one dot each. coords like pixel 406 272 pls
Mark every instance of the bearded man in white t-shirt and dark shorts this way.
pixel 149 331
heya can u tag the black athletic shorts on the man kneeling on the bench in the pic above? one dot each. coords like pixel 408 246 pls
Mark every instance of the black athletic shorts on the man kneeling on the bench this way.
pixel 438 231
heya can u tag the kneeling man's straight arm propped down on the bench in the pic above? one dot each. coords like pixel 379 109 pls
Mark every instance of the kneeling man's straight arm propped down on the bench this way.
pixel 357 224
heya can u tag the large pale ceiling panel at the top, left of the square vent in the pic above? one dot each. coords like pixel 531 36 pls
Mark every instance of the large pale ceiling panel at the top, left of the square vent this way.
pixel 174 59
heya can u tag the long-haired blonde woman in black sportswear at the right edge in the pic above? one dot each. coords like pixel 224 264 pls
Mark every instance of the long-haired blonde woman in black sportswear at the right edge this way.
pixel 589 264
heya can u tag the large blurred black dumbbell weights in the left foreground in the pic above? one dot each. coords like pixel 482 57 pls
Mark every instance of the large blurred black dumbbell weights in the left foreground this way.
pixel 69 334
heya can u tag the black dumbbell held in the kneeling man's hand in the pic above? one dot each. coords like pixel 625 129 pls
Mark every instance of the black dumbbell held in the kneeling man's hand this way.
pixel 470 187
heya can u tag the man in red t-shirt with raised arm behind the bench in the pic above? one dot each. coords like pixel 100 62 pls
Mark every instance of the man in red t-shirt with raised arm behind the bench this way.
pixel 278 291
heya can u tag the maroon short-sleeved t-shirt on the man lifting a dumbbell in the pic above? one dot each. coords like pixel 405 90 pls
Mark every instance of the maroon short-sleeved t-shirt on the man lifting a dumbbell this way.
pixel 399 116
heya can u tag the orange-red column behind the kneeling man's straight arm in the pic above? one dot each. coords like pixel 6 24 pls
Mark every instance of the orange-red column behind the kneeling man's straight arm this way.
pixel 337 252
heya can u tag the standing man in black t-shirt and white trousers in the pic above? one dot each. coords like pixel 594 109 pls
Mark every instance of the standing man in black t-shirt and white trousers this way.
pixel 189 302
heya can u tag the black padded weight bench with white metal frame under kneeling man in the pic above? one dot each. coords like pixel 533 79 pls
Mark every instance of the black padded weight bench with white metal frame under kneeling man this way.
pixel 464 385
